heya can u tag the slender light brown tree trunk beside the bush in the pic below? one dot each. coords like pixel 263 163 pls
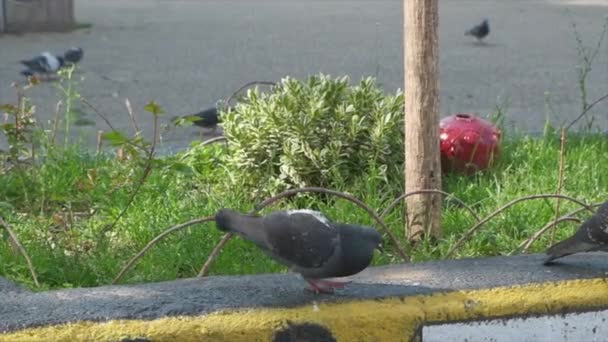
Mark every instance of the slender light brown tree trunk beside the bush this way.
pixel 422 156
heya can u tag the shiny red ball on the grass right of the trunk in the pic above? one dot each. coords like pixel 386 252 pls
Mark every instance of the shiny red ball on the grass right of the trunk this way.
pixel 468 143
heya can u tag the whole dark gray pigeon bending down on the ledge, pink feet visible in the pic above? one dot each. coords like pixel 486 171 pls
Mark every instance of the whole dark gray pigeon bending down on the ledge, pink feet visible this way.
pixel 307 242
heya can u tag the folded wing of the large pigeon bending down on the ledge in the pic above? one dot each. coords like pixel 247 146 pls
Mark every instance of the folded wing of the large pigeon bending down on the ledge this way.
pixel 304 239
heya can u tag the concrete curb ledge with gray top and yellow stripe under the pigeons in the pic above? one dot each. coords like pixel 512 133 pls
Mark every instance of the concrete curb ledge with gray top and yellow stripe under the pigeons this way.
pixel 383 304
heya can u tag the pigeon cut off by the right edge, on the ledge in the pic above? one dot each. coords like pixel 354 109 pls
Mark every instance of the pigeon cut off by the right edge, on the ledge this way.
pixel 591 236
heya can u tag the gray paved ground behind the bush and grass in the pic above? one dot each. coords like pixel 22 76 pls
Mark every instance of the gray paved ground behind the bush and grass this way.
pixel 186 54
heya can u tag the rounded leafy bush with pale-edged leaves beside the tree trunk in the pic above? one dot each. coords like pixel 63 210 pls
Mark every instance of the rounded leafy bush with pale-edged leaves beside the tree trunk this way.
pixel 321 132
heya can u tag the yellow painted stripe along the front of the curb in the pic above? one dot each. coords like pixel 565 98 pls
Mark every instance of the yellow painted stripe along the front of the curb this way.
pixel 391 319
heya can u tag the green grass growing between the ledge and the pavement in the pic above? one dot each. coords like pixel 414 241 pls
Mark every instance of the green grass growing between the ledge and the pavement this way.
pixel 59 207
